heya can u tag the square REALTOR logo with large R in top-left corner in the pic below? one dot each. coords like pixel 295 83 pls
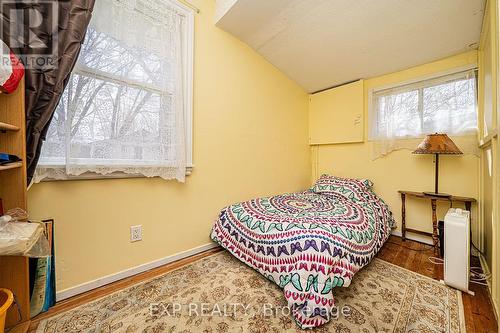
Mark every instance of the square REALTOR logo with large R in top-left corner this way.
pixel 30 29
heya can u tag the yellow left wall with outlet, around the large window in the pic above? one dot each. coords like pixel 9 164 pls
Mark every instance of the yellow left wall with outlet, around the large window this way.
pixel 250 140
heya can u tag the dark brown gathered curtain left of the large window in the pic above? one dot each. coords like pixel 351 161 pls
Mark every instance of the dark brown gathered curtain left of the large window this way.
pixel 47 36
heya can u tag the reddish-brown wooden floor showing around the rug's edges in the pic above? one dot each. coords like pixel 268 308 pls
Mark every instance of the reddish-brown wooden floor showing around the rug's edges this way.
pixel 479 315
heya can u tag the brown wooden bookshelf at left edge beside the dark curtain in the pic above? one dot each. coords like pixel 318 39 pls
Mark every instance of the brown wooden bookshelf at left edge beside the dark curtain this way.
pixel 14 271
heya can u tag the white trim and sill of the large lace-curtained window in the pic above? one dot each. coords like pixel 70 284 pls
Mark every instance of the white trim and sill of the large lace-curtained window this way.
pixel 188 13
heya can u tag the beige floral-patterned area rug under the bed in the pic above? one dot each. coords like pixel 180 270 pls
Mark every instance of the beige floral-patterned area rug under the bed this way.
pixel 219 294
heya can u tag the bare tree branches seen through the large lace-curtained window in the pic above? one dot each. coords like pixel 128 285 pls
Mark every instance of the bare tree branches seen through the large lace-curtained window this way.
pixel 105 114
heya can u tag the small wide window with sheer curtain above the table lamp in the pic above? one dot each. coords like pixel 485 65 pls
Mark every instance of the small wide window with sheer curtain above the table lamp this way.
pixel 445 104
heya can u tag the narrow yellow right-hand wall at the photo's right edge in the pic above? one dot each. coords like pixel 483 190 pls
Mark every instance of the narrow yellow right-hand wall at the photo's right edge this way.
pixel 488 116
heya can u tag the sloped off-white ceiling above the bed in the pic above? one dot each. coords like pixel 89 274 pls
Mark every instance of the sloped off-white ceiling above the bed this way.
pixel 323 43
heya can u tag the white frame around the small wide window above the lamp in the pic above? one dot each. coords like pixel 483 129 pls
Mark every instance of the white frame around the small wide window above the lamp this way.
pixel 424 81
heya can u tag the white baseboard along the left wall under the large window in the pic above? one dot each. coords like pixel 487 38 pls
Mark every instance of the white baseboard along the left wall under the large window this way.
pixel 84 287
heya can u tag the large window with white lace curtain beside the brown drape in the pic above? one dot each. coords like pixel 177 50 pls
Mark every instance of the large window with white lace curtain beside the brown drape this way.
pixel 127 105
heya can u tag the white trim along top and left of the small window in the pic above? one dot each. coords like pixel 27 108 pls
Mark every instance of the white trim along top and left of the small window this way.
pixel 372 114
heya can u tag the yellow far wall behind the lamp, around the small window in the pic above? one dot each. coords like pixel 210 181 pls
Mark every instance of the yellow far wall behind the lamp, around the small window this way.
pixel 401 170
